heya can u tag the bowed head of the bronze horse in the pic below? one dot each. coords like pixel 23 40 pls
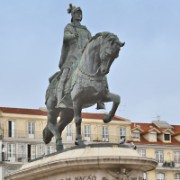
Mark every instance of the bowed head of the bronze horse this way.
pixel 109 50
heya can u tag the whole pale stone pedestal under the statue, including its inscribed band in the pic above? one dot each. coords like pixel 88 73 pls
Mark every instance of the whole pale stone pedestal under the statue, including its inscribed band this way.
pixel 92 162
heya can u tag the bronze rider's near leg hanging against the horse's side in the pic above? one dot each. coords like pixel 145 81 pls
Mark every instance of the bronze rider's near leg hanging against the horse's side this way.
pixel 61 85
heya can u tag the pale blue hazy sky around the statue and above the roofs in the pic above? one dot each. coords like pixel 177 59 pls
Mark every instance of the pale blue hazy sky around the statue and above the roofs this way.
pixel 146 74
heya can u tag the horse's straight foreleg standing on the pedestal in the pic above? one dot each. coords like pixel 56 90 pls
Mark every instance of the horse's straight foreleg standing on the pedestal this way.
pixel 78 119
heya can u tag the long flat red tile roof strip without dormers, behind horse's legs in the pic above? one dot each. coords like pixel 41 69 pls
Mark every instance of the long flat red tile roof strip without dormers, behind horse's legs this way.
pixel 43 112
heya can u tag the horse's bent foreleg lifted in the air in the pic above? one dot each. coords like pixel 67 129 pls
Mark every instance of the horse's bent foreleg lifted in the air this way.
pixel 116 101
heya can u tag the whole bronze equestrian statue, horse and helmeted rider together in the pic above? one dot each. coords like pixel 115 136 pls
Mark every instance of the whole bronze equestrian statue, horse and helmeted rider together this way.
pixel 82 80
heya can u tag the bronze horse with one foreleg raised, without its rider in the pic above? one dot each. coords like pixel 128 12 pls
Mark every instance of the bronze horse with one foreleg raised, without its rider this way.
pixel 88 85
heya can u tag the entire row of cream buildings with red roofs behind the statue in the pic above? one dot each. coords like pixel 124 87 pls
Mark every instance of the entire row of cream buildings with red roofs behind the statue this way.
pixel 21 139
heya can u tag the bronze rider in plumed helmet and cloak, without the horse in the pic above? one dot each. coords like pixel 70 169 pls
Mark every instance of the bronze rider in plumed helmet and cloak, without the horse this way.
pixel 76 36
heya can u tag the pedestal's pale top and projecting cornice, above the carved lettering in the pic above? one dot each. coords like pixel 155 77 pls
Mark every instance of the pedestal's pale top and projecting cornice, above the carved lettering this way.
pixel 84 159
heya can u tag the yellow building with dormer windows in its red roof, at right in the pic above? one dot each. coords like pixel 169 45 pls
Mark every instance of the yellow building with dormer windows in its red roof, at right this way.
pixel 161 141
